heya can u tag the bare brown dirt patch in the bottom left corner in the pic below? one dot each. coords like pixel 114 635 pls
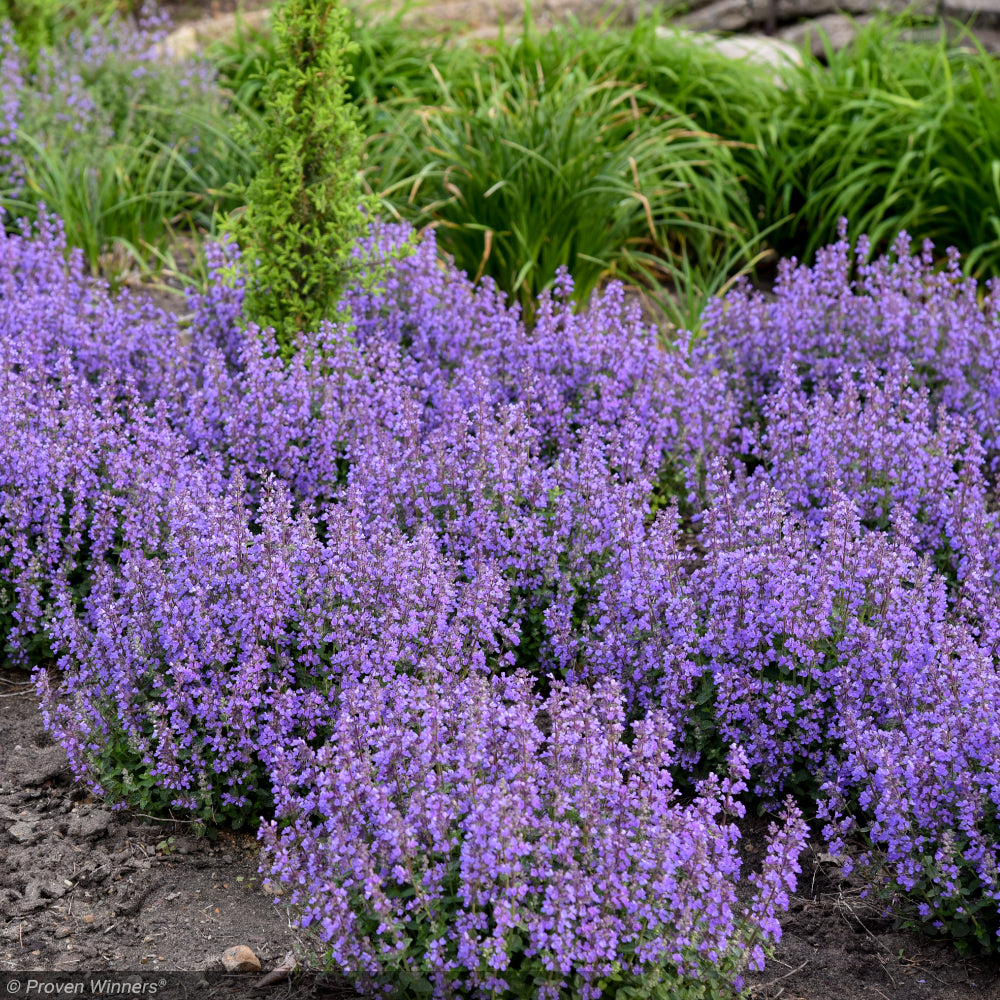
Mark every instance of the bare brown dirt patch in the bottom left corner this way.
pixel 84 889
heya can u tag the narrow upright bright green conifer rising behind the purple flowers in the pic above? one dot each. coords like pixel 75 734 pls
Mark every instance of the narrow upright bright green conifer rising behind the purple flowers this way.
pixel 303 209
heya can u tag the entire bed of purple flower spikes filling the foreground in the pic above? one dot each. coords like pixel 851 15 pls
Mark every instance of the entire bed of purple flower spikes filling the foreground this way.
pixel 263 576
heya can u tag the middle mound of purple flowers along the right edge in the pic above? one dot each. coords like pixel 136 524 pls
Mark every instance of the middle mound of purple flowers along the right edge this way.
pixel 875 437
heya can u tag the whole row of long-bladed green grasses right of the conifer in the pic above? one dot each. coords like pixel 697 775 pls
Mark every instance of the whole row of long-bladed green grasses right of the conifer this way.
pixel 891 132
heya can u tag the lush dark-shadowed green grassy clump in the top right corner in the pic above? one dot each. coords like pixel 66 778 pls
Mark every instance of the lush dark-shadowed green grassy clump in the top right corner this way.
pixel 893 134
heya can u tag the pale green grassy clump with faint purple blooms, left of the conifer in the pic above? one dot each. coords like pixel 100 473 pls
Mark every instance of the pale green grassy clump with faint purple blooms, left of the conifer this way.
pixel 153 152
